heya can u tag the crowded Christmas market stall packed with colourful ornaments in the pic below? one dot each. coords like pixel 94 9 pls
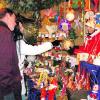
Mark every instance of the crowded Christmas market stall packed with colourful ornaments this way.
pixel 71 68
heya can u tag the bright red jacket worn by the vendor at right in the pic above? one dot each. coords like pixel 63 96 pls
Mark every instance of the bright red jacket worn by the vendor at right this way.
pixel 92 46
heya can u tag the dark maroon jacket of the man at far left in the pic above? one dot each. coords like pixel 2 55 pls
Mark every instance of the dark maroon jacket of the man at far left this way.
pixel 9 70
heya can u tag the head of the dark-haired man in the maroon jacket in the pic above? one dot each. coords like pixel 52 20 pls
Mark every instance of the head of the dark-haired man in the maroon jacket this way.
pixel 8 17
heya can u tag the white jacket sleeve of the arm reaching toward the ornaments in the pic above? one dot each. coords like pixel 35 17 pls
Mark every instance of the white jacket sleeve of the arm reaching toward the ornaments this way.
pixel 26 49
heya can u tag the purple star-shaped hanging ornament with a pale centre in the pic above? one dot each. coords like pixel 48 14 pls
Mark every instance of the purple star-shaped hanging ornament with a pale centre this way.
pixel 64 25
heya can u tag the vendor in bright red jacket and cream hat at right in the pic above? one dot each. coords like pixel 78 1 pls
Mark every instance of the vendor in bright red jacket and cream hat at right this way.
pixel 92 42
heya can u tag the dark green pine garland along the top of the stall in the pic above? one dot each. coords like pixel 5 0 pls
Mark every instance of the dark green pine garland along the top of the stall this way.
pixel 31 5
